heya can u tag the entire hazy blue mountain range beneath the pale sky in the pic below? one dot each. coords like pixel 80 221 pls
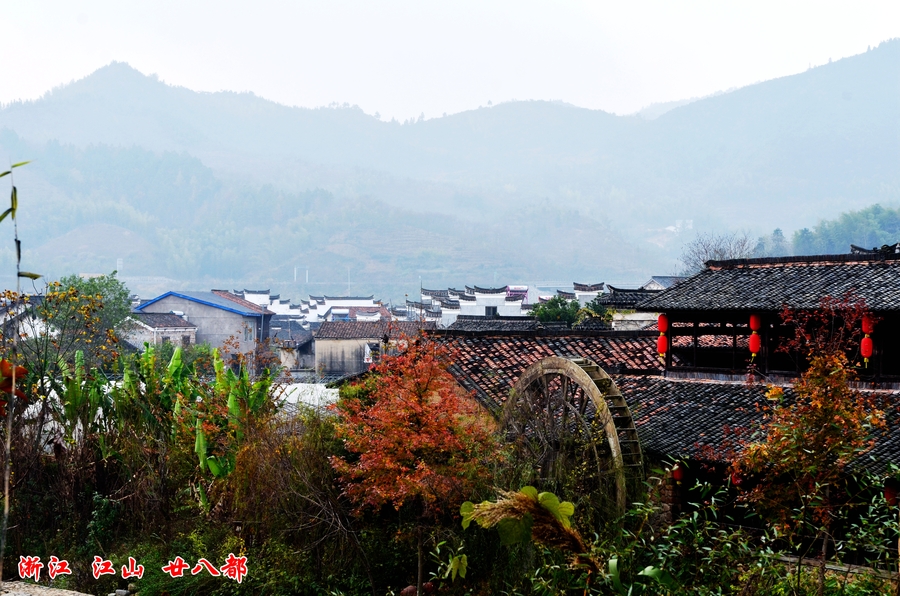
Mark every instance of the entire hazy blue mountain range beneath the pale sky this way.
pixel 228 188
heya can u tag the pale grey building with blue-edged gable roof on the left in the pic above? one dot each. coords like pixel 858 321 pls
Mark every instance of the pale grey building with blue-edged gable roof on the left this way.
pixel 219 316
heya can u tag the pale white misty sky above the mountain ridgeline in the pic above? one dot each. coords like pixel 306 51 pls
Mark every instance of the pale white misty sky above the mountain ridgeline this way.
pixel 402 58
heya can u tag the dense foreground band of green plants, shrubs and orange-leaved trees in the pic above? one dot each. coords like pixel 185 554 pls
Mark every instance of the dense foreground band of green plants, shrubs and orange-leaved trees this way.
pixel 200 460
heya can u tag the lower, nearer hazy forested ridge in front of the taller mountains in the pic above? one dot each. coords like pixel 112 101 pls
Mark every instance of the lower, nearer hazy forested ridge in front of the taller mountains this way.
pixel 167 215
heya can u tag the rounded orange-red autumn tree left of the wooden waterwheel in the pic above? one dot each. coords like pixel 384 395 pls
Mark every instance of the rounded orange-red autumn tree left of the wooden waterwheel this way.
pixel 413 435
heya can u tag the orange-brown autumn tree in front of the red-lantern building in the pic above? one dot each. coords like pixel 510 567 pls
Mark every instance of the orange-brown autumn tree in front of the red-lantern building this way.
pixel 799 469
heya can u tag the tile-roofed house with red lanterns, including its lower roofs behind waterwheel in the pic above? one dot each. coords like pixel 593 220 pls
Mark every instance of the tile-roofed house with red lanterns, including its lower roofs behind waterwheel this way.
pixel 684 403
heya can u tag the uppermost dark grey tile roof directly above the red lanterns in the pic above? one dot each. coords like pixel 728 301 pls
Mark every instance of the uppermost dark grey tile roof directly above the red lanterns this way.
pixel 798 282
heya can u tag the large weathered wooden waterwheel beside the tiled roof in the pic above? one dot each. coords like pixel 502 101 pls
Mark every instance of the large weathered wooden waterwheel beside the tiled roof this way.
pixel 569 418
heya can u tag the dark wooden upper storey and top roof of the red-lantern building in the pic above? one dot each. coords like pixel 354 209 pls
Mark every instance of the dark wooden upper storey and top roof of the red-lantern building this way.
pixel 709 314
